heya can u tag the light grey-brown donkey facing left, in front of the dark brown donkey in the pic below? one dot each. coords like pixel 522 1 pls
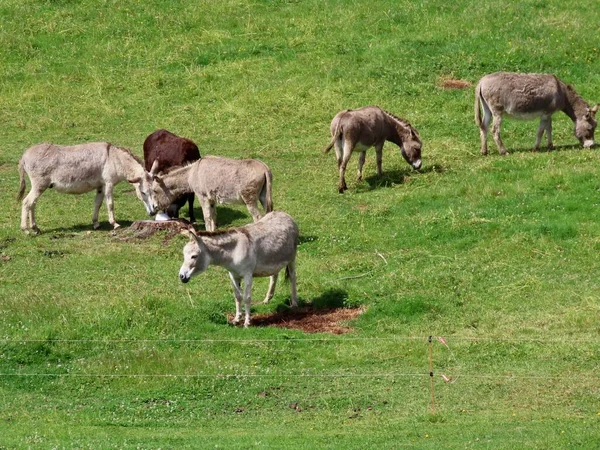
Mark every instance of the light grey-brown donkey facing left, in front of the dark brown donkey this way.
pixel 217 180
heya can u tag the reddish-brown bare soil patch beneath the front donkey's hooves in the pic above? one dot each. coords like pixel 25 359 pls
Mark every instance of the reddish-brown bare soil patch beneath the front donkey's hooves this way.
pixel 310 320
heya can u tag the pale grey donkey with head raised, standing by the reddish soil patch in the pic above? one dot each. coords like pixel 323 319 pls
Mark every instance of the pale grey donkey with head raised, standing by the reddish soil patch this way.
pixel 259 249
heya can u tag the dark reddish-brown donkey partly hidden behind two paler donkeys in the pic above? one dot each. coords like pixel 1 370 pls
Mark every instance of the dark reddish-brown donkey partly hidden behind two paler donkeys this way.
pixel 171 150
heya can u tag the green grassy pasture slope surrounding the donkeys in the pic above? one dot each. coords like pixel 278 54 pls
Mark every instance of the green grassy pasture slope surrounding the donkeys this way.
pixel 102 347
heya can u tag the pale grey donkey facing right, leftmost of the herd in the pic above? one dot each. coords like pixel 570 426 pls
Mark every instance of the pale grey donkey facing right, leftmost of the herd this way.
pixel 78 169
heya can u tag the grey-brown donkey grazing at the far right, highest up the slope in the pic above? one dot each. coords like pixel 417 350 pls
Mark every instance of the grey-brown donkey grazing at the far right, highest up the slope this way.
pixel 527 96
